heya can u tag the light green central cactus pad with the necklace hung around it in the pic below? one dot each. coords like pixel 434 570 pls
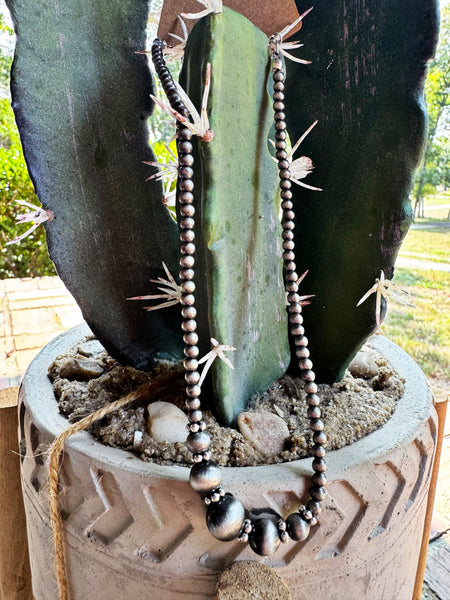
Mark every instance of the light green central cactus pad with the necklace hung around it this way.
pixel 239 234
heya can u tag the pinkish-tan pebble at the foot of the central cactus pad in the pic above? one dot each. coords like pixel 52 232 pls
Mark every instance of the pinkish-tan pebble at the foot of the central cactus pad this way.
pixel 266 431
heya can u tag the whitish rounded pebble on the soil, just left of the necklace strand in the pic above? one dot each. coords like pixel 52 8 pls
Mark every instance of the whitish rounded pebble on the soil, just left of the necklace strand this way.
pixel 167 422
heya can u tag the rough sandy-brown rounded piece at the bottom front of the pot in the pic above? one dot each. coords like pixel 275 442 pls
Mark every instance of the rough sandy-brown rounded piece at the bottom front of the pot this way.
pixel 245 580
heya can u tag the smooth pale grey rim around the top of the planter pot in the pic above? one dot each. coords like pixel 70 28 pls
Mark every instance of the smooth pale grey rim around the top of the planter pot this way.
pixel 412 409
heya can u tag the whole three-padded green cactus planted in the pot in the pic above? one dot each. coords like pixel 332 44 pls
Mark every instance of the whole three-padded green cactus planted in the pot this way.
pixel 85 142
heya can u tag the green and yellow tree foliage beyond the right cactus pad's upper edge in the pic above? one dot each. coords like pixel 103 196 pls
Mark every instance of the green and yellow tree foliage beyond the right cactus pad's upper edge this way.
pixel 435 170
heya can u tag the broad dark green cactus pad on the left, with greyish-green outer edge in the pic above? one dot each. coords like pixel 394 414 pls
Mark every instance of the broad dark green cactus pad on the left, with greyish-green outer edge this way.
pixel 81 99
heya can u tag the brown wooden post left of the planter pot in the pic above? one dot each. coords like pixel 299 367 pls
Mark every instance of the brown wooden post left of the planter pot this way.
pixel 15 576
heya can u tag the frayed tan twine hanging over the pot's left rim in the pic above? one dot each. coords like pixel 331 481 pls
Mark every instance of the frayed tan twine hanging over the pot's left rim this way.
pixel 54 462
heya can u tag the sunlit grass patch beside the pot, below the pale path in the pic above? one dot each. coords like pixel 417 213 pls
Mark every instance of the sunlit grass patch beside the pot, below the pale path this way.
pixel 423 331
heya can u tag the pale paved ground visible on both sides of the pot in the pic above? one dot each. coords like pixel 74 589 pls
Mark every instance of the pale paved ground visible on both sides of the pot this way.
pixel 33 311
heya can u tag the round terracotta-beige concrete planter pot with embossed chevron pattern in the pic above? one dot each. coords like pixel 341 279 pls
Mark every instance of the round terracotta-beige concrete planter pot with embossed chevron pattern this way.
pixel 135 530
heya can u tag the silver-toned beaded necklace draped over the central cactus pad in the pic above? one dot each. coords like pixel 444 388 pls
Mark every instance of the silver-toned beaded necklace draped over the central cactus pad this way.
pixel 225 515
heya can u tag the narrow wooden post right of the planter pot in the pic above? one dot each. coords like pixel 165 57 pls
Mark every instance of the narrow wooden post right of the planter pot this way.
pixel 441 409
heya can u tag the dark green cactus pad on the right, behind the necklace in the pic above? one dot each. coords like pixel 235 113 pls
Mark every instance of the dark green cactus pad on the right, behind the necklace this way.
pixel 365 86
